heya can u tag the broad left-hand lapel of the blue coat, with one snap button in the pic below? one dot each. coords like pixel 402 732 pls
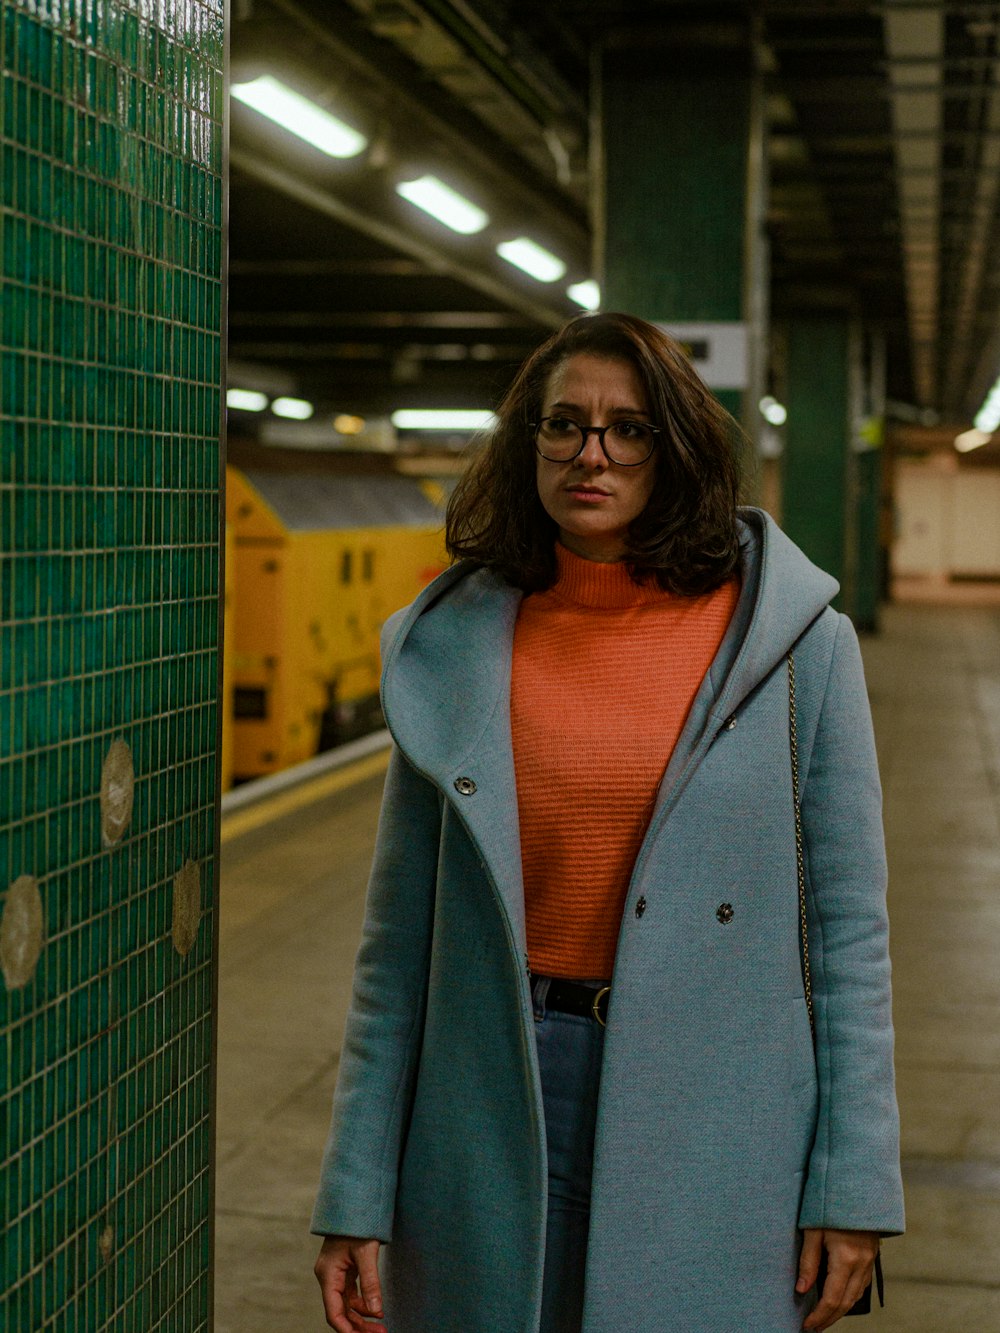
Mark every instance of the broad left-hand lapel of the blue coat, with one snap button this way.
pixel 447 702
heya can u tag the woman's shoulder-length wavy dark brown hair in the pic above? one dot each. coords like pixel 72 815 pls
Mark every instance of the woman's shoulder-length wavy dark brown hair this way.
pixel 686 539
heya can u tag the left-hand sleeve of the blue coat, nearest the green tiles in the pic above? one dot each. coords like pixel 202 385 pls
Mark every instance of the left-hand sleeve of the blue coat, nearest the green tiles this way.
pixel 382 1040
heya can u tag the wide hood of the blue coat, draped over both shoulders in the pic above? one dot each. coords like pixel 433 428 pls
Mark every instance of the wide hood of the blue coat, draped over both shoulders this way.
pixel 447 657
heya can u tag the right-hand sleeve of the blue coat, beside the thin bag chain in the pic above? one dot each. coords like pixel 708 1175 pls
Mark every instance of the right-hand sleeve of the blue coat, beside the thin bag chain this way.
pixel 854 1172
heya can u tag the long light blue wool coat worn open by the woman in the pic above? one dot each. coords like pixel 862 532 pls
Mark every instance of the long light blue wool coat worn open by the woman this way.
pixel 719 1132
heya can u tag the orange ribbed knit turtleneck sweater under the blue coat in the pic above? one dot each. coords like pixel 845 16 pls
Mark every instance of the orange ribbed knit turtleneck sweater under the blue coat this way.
pixel 605 675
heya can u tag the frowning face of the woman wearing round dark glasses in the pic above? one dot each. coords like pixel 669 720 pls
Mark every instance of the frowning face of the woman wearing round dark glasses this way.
pixel 590 499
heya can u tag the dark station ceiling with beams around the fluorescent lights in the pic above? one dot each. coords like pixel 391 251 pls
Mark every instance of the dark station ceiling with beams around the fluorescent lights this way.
pixel 885 163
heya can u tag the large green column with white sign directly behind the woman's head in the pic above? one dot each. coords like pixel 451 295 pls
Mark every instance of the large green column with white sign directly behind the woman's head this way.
pixel 681 197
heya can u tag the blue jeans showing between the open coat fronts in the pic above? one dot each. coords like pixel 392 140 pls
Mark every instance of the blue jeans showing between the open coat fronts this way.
pixel 570 1062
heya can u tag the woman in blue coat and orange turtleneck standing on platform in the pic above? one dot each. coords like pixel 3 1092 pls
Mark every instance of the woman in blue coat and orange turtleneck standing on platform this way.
pixel 579 1088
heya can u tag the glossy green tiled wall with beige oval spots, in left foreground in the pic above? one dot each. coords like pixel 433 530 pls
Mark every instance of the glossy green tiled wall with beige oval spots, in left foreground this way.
pixel 111 293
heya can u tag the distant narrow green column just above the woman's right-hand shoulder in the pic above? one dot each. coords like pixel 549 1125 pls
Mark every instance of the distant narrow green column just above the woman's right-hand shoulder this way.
pixel 815 473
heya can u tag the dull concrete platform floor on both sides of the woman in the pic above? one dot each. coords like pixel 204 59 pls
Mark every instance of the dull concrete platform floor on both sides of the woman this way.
pixel 291 911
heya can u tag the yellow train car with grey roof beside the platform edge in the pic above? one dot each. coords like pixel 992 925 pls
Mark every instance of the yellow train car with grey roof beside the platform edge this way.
pixel 321 562
